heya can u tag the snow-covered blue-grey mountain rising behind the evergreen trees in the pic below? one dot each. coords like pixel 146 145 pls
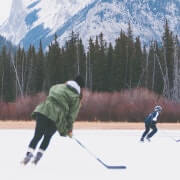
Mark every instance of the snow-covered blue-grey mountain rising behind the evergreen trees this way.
pixel 32 20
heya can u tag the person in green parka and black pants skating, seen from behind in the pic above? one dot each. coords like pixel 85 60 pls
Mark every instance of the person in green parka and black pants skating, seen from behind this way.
pixel 57 113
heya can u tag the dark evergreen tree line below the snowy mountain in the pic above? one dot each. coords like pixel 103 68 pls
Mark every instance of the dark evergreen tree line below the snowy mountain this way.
pixel 106 68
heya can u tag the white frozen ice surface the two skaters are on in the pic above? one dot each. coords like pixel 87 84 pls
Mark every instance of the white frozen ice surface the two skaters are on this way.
pixel 65 159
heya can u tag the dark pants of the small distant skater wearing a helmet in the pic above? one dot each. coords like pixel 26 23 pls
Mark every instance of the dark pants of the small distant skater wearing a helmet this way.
pixel 148 126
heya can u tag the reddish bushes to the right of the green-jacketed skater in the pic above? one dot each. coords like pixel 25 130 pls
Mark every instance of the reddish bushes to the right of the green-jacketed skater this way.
pixel 130 105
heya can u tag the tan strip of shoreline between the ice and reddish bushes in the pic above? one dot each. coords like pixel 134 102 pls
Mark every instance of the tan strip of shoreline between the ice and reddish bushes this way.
pixel 89 125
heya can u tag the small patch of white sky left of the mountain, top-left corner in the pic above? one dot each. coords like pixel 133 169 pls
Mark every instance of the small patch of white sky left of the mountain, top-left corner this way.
pixel 5 10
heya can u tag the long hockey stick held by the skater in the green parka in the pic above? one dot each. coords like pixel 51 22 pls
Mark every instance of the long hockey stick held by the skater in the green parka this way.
pixel 99 160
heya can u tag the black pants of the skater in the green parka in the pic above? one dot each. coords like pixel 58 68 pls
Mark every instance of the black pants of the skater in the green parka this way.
pixel 44 128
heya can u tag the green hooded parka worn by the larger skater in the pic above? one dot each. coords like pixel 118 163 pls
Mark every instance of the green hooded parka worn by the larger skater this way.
pixel 61 106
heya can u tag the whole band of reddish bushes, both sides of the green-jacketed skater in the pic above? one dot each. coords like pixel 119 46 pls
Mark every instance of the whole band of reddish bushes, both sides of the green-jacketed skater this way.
pixel 132 106
